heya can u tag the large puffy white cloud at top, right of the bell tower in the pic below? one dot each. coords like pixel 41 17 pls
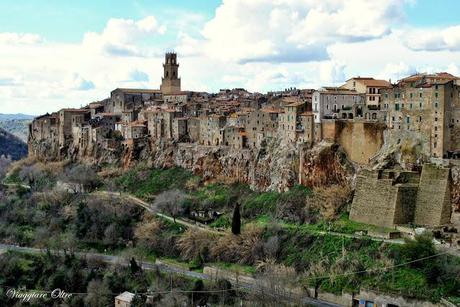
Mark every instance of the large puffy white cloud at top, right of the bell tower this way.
pixel 294 30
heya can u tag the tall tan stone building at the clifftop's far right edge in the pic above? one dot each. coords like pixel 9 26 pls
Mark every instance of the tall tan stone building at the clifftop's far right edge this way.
pixel 428 106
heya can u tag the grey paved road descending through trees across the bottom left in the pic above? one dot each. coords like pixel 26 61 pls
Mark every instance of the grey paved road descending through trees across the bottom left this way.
pixel 166 268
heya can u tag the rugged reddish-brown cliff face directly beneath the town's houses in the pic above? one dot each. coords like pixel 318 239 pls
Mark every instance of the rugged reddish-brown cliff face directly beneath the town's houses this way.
pixel 274 166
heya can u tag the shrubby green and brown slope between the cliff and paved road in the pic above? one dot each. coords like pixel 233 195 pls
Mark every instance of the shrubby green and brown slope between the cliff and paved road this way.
pixel 279 233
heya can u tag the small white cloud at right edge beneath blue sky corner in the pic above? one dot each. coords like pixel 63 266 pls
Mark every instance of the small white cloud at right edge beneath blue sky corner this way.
pixel 434 39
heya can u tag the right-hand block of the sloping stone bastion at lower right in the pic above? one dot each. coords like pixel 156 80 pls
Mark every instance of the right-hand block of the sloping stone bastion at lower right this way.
pixel 434 197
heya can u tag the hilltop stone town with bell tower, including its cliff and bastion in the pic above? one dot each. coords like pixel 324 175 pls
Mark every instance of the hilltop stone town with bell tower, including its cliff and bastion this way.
pixel 278 139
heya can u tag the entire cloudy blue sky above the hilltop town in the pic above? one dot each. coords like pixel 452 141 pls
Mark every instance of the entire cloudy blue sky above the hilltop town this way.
pixel 61 53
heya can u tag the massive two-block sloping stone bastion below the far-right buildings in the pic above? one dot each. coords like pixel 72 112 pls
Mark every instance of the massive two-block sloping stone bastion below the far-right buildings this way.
pixel 390 197
